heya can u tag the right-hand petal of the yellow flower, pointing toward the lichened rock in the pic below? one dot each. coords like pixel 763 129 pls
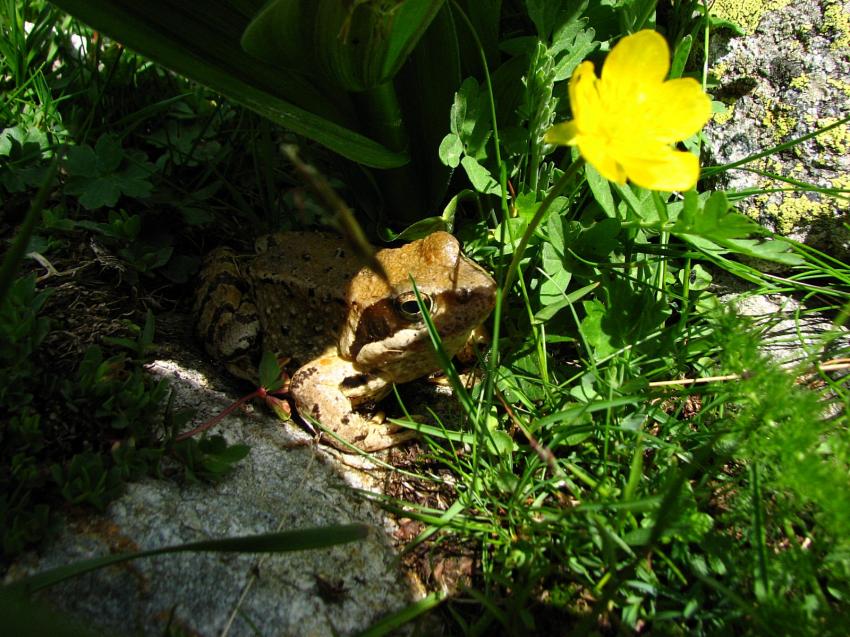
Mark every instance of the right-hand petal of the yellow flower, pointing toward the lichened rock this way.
pixel 680 108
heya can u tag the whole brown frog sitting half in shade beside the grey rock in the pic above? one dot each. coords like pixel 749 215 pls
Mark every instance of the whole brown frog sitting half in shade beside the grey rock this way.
pixel 304 295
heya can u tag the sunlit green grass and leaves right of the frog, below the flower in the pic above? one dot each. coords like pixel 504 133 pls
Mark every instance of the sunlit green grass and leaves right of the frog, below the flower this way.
pixel 678 510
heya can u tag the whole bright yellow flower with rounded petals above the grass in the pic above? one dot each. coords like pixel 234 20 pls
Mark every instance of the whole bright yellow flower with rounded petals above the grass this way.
pixel 626 122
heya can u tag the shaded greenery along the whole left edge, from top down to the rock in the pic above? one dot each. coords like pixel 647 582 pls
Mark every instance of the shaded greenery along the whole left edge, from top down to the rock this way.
pixel 74 431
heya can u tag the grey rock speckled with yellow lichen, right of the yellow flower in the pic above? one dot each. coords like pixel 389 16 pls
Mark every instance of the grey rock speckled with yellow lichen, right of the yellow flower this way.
pixel 789 76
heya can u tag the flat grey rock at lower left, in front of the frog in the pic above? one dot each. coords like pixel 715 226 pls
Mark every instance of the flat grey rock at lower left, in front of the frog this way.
pixel 285 483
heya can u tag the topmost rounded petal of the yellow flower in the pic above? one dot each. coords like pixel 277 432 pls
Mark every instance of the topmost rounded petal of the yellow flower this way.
pixel 641 58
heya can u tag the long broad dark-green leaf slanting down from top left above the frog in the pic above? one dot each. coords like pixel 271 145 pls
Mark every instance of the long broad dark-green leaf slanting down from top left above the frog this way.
pixel 201 40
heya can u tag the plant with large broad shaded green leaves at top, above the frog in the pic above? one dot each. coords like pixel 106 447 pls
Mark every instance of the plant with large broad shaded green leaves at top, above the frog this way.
pixel 342 63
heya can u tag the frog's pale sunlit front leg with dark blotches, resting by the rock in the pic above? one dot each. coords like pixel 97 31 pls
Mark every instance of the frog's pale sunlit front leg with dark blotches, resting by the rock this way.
pixel 329 388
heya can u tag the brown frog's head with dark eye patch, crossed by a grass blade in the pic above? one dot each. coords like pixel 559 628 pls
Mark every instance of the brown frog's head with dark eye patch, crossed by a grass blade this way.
pixel 384 330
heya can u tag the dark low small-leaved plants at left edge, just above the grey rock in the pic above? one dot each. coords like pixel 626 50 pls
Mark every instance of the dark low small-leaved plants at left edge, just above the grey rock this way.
pixel 113 408
